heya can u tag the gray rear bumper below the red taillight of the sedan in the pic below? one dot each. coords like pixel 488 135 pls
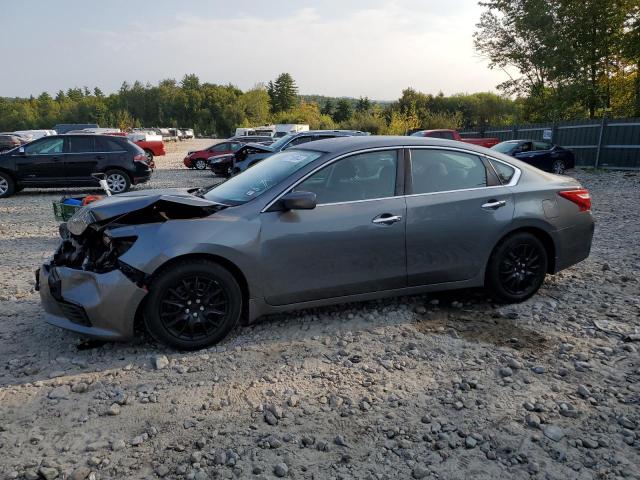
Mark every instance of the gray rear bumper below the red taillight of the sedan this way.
pixel 573 244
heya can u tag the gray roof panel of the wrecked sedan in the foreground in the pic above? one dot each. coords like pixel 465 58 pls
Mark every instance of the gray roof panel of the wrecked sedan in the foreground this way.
pixel 347 144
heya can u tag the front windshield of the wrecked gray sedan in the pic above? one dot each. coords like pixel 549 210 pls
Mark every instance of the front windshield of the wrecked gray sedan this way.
pixel 256 180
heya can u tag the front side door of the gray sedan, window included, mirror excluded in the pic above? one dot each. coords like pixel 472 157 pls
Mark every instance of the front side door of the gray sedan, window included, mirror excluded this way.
pixel 353 242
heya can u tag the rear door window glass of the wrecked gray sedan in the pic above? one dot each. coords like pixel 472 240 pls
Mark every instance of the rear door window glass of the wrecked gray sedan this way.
pixel 442 170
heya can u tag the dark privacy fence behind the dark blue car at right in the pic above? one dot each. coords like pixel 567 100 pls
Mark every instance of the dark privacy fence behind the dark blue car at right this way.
pixel 602 143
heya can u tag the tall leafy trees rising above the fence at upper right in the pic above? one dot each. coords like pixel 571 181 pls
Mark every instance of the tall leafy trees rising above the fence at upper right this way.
pixel 576 58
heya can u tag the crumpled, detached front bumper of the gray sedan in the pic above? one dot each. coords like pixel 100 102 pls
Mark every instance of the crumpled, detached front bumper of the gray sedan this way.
pixel 97 305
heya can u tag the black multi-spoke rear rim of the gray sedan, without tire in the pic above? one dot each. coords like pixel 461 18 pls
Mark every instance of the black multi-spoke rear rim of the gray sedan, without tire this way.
pixel 520 269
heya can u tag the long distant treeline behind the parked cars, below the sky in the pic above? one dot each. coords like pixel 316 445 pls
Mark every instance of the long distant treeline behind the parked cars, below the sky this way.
pixel 218 109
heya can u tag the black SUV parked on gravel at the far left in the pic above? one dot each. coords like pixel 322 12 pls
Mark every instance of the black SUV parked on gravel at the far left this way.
pixel 69 161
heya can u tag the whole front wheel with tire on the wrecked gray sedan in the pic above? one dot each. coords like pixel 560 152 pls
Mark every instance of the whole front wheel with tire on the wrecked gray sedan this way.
pixel 193 305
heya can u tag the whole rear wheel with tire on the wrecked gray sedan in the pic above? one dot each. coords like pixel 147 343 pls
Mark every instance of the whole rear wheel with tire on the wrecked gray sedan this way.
pixel 516 268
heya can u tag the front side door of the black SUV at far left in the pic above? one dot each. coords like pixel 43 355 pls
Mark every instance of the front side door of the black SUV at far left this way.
pixel 41 161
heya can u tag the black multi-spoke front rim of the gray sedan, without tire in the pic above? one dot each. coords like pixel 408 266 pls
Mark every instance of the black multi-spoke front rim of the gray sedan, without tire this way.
pixel 194 308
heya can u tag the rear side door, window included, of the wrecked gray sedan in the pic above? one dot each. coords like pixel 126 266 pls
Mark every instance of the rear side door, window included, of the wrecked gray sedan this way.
pixel 456 212
